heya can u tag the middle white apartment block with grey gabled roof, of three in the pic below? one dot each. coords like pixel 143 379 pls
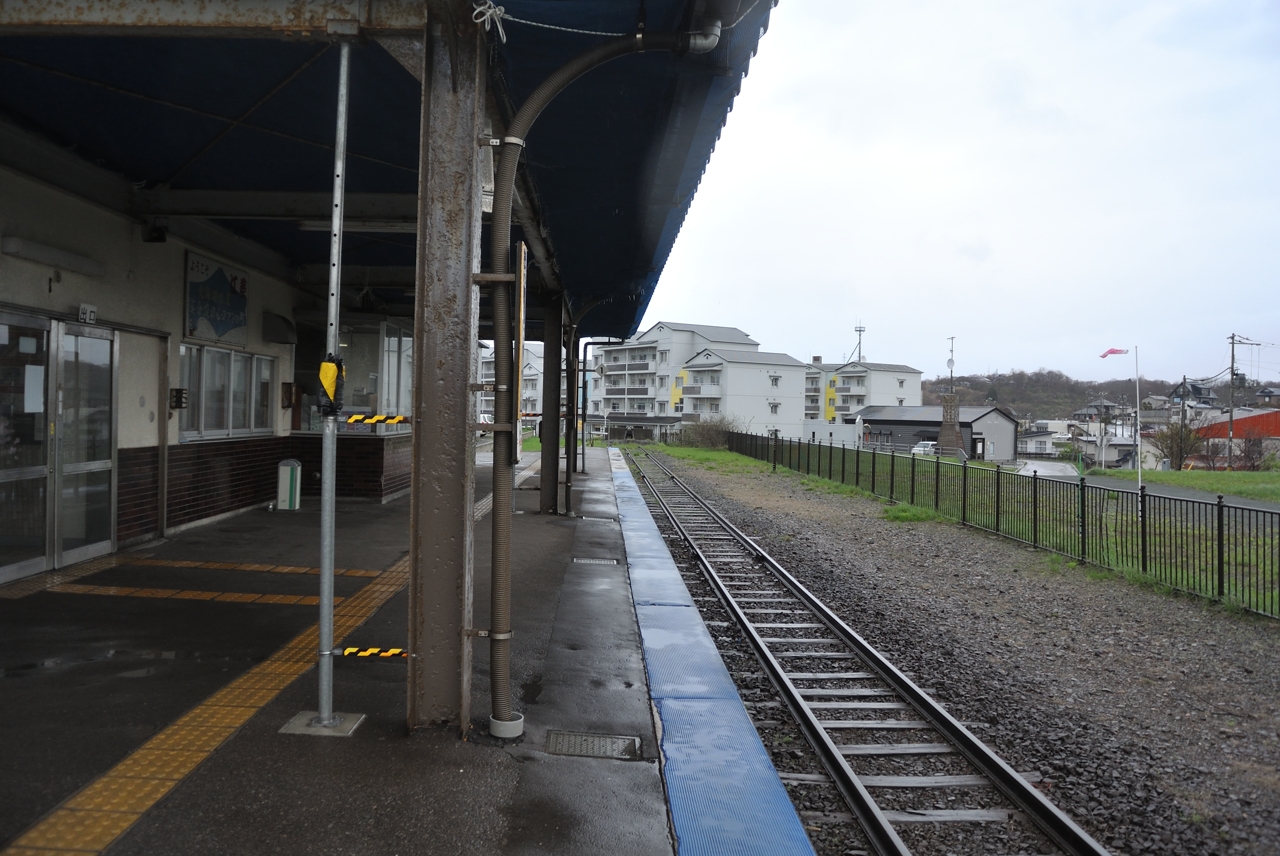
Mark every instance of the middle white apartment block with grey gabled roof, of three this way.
pixel 762 391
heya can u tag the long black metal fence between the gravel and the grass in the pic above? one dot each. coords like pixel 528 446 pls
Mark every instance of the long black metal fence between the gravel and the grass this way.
pixel 1214 550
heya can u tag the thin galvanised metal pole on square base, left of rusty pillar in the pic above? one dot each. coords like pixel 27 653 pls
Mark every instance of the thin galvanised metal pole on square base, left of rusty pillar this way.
pixel 330 425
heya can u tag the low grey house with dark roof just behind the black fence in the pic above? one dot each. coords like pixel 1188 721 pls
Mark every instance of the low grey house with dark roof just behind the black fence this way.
pixel 989 433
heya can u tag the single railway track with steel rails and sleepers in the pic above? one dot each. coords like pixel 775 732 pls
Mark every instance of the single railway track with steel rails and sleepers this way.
pixel 892 752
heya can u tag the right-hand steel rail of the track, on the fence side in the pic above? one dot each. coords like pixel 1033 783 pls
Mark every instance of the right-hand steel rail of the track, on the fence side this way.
pixel 1048 817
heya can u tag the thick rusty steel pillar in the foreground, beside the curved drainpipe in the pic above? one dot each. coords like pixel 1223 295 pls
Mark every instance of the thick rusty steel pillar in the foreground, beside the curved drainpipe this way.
pixel 446 318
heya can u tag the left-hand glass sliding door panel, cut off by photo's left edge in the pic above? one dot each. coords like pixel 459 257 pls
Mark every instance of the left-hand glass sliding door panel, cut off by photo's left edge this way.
pixel 25 454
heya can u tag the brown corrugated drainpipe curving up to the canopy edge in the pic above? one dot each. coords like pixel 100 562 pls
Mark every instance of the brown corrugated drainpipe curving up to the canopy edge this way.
pixel 504 722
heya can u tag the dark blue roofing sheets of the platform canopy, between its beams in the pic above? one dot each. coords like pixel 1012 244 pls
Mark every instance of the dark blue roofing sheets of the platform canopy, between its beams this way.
pixel 615 161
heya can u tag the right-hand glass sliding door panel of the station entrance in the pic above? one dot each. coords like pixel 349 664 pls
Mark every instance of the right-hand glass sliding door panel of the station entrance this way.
pixel 85 420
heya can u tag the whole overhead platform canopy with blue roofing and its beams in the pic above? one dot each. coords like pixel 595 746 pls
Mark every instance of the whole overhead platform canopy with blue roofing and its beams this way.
pixel 216 123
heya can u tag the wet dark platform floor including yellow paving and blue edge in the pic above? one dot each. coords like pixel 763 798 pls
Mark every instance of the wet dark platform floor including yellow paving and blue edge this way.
pixel 143 722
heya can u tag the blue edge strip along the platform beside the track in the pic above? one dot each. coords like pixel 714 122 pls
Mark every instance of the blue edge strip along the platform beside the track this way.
pixel 723 789
